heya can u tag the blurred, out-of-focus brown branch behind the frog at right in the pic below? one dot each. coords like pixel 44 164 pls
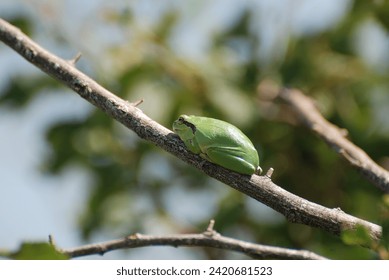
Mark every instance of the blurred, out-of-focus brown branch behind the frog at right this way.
pixel 334 136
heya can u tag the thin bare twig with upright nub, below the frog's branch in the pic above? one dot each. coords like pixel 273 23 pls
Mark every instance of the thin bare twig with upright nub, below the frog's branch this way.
pixel 209 238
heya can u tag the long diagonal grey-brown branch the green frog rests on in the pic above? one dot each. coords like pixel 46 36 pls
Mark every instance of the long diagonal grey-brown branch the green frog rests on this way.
pixel 261 188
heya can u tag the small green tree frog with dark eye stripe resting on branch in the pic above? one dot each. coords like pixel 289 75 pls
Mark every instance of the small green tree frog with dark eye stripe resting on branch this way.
pixel 218 142
